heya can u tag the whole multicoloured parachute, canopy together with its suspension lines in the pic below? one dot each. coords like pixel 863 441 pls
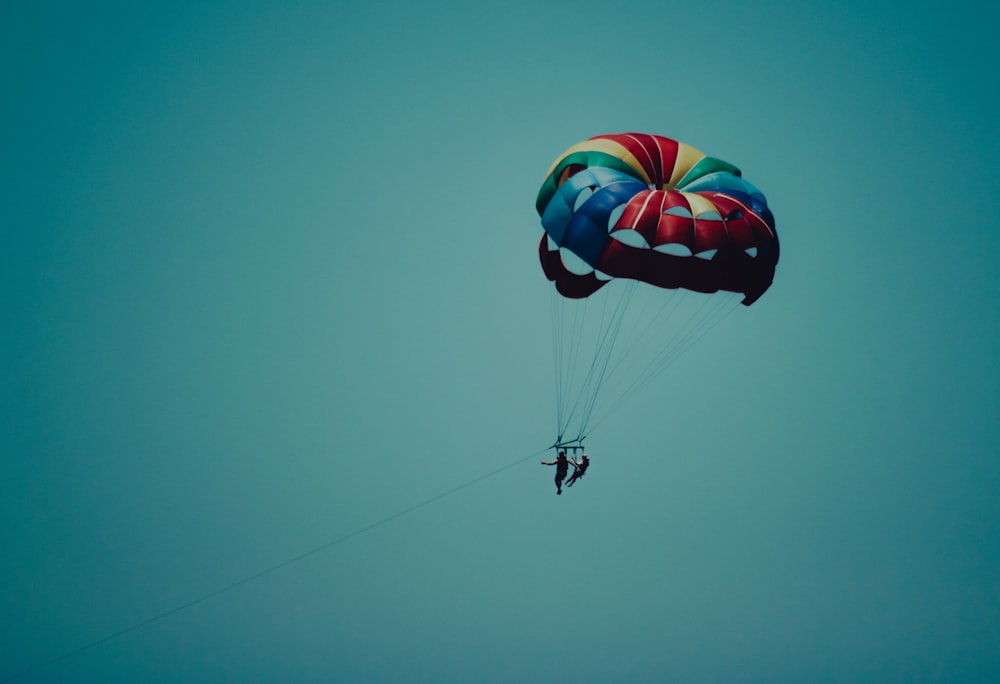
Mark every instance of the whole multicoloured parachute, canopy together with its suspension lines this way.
pixel 642 218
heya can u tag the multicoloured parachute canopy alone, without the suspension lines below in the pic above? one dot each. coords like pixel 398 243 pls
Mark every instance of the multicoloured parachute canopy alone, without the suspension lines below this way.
pixel 652 209
